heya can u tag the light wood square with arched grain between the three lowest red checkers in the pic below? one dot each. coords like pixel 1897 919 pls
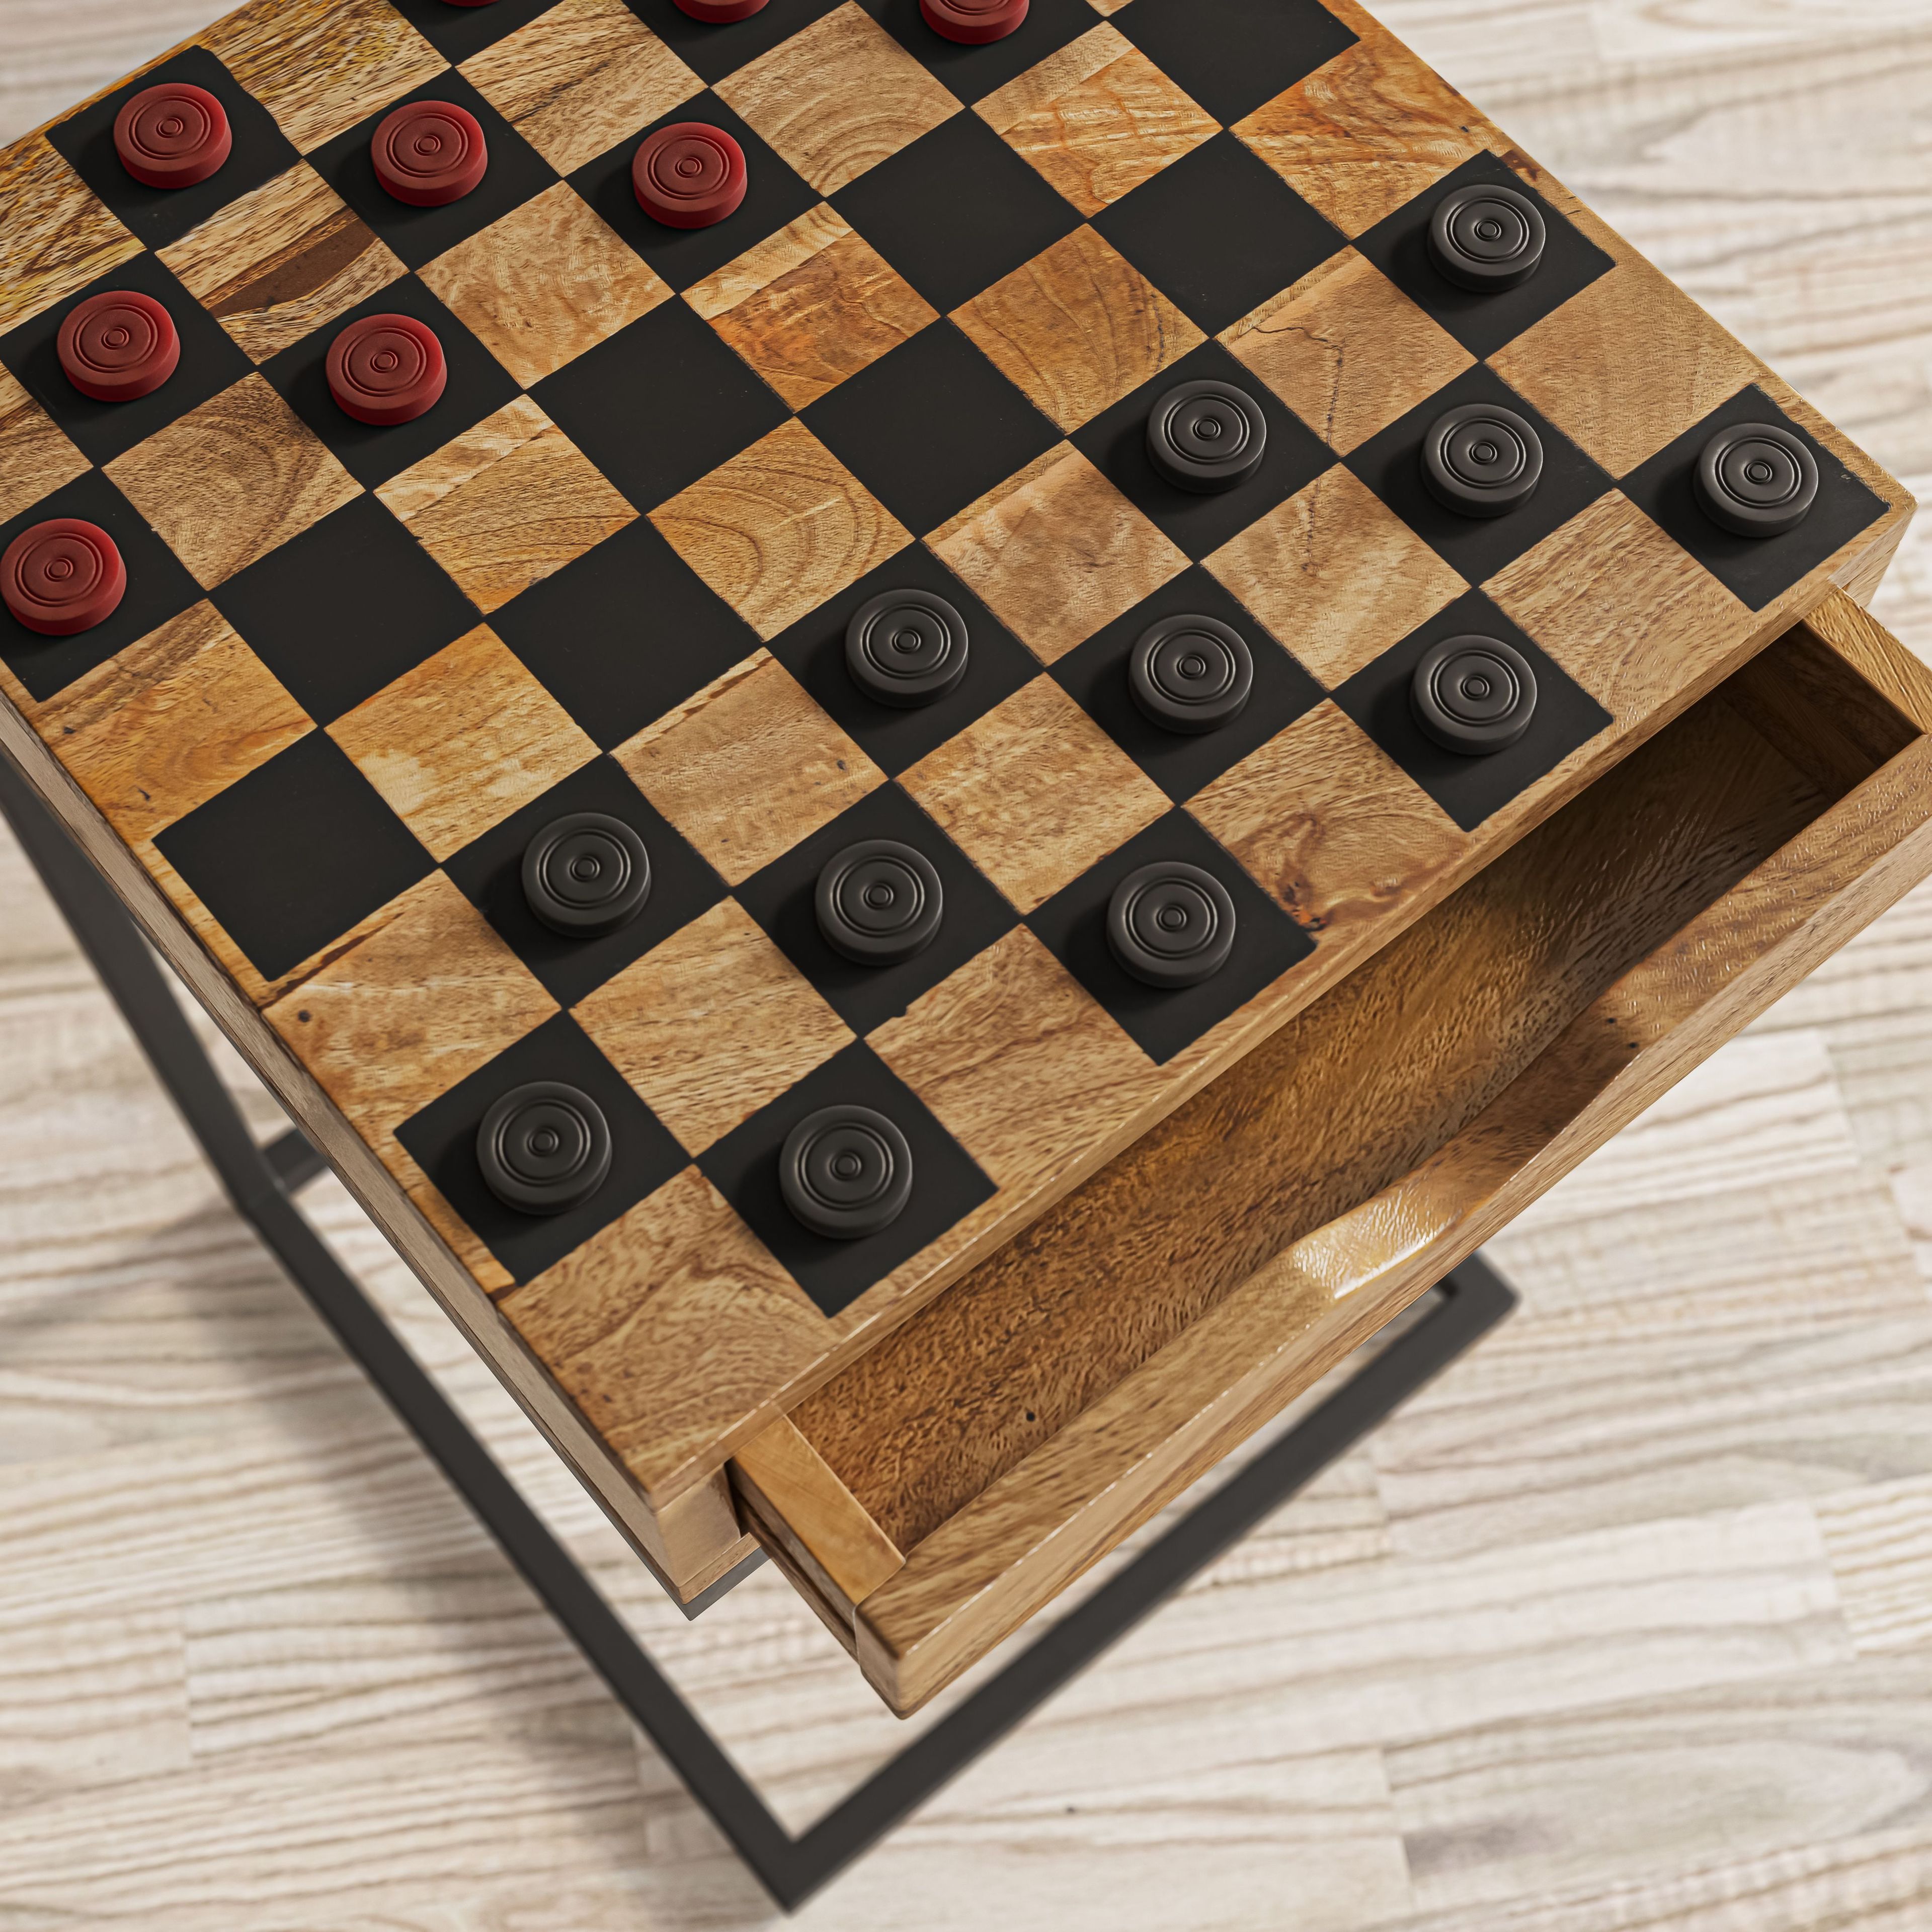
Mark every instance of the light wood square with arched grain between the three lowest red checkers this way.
pixel 233 480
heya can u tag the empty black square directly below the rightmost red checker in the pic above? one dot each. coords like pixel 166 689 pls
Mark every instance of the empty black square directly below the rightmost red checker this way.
pixel 955 212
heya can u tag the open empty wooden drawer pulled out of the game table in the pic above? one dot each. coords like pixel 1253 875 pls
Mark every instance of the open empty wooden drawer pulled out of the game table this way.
pixel 952 1481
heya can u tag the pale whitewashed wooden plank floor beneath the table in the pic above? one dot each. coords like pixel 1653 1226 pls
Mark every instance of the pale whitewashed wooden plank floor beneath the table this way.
pixel 1628 1624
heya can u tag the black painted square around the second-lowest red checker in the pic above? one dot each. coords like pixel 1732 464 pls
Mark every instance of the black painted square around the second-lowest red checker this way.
pixel 372 453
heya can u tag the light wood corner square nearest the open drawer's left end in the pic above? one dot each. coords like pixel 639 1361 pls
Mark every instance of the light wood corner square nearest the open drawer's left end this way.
pixel 679 1280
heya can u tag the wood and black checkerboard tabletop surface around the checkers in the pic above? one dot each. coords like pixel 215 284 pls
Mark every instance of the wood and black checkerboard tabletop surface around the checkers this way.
pixel 611 569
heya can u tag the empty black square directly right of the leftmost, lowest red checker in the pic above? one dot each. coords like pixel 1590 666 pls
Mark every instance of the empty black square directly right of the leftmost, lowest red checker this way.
pixel 345 610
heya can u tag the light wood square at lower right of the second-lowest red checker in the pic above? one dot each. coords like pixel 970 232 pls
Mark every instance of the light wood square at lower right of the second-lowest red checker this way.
pixel 507 505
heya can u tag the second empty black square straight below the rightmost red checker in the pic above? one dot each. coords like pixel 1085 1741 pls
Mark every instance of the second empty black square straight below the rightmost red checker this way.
pixel 930 426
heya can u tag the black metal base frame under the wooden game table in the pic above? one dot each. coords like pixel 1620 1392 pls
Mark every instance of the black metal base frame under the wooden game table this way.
pixel 262 1183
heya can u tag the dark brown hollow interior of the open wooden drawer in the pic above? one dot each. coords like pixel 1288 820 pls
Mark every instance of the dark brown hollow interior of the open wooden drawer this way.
pixel 1361 1091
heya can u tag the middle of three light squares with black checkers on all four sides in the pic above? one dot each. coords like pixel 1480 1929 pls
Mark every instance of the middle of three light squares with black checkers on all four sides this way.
pixel 1035 793
